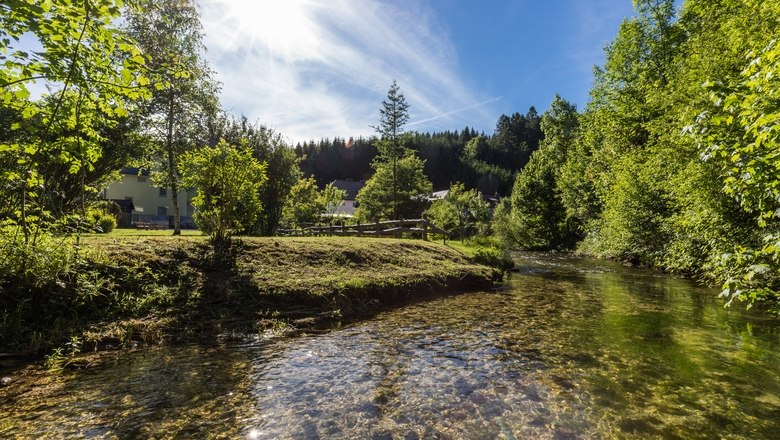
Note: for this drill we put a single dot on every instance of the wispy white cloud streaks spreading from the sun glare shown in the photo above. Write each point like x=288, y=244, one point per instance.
x=321, y=68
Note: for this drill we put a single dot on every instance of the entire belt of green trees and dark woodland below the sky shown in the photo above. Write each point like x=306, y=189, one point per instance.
x=674, y=163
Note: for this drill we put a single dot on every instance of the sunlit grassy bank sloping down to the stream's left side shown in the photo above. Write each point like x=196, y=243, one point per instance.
x=127, y=289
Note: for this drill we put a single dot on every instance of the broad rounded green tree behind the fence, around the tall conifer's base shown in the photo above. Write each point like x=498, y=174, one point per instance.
x=380, y=200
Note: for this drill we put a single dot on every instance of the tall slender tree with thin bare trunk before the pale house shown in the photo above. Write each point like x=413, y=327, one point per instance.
x=184, y=97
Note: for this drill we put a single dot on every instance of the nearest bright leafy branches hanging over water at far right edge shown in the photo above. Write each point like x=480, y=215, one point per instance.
x=741, y=136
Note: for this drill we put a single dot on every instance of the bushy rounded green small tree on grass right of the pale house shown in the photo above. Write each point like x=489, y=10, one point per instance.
x=226, y=179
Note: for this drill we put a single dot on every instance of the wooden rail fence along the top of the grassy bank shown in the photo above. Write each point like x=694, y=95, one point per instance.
x=391, y=228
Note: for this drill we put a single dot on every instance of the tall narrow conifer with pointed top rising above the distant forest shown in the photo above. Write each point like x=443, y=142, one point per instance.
x=392, y=117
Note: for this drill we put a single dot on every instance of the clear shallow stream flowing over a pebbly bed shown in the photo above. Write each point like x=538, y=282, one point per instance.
x=568, y=348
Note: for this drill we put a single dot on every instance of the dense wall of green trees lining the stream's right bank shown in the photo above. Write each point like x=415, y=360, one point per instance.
x=675, y=161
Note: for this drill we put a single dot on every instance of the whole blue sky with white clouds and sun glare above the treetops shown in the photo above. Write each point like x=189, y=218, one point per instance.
x=312, y=69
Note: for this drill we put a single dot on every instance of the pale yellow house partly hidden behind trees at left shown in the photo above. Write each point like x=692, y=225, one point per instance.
x=143, y=203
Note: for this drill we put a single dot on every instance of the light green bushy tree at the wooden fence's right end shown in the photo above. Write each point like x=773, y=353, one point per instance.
x=463, y=210
